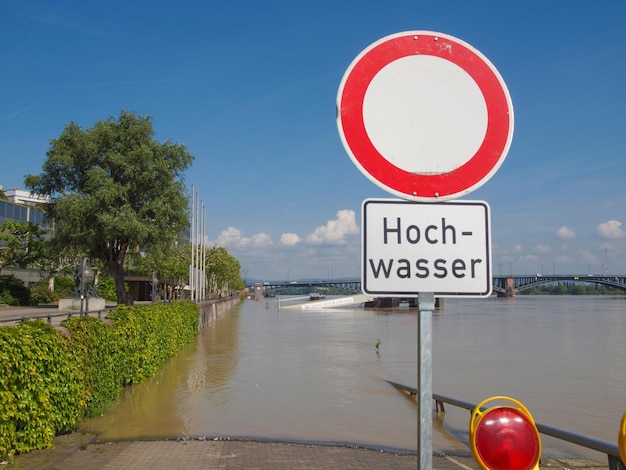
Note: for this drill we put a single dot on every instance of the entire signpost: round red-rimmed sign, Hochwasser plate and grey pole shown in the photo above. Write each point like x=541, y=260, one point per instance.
x=427, y=118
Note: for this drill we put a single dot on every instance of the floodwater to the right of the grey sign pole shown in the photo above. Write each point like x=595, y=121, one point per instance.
x=562, y=356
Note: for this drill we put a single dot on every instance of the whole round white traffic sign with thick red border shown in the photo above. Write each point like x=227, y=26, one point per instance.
x=424, y=115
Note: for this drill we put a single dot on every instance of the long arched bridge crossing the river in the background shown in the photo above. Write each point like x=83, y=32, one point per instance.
x=503, y=285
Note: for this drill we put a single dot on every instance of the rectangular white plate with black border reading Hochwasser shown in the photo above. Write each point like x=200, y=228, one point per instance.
x=412, y=247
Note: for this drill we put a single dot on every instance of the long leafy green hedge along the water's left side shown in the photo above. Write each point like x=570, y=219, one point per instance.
x=49, y=382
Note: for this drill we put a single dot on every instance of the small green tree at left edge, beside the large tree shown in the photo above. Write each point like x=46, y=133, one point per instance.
x=23, y=245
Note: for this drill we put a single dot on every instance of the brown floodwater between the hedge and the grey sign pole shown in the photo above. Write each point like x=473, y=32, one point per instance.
x=312, y=376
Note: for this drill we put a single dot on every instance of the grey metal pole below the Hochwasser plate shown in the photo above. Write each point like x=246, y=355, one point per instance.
x=426, y=302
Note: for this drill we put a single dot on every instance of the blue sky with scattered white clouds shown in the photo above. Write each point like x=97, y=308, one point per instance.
x=250, y=88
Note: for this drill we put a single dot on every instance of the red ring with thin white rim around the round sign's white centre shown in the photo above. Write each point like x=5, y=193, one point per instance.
x=428, y=186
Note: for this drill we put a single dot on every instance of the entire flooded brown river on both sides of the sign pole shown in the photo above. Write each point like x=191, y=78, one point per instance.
x=296, y=375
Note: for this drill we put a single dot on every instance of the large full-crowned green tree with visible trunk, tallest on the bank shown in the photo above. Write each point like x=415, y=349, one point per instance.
x=113, y=190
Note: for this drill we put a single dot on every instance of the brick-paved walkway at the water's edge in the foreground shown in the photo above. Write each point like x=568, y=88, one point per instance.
x=82, y=452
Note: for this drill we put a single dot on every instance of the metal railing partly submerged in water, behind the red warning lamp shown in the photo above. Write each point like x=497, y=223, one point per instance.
x=611, y=450
